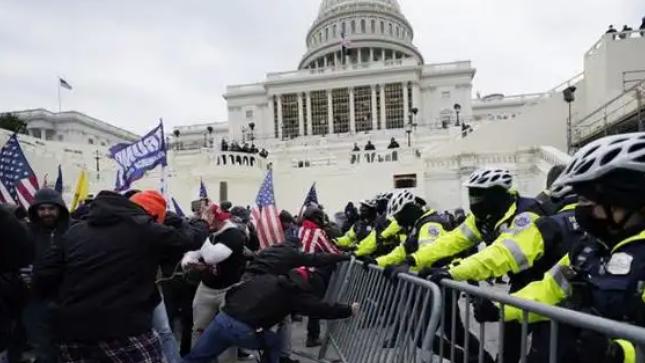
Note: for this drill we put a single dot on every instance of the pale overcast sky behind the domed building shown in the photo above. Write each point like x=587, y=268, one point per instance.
x=131, y=62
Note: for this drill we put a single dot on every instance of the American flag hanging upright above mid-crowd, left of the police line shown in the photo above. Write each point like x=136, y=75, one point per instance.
x=265, y=216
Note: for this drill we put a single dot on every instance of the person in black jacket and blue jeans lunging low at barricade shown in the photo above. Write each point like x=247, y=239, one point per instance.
x=254, y=306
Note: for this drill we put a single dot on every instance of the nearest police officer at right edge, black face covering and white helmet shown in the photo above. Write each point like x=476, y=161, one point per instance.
x=603, y=277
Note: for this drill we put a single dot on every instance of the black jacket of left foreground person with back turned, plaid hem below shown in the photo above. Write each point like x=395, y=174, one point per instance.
x=103, y=271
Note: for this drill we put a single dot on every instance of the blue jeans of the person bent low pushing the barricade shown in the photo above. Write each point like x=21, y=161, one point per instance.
x=225, y=332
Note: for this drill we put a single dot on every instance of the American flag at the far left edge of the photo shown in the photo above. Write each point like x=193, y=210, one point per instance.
x=18, y=183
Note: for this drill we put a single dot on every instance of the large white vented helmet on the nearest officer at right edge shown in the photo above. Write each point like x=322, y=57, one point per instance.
x=598, y=158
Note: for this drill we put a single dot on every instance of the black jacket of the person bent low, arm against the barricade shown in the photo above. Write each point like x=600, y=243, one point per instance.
x=265, y=300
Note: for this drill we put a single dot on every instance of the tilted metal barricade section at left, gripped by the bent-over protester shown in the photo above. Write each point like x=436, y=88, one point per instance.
x=398, y=318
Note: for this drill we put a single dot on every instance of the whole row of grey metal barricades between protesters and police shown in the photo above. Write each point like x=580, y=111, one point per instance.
x=408, y=319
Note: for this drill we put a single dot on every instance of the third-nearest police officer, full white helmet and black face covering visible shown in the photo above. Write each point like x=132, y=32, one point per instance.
x=496, y=209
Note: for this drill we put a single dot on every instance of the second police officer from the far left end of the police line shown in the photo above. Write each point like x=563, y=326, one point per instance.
x=386, y=234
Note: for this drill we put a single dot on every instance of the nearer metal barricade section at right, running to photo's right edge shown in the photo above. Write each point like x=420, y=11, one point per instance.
x=559, y=319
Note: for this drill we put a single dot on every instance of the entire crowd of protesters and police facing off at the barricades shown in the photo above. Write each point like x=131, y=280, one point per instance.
x=117, y=281
